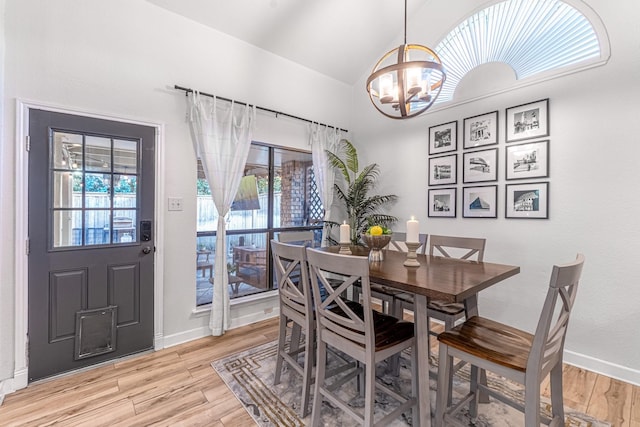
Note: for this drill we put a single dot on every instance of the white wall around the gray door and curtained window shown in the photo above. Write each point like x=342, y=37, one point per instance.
x=122, y=58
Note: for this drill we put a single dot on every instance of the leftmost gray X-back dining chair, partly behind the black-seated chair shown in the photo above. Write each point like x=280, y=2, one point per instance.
x=292, y=276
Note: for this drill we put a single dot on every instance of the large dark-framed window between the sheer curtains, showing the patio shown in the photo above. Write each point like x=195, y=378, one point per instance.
x=277, y=193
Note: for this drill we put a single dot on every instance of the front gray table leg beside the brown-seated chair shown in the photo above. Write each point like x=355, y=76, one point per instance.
x=422, y=350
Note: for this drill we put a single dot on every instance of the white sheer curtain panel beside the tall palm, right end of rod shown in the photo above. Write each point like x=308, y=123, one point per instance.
x=322, y=138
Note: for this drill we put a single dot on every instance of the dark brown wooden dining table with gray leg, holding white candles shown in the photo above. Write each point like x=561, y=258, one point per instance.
x=438, y=278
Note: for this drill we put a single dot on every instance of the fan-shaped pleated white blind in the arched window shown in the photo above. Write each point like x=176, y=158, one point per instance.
x=531, y=36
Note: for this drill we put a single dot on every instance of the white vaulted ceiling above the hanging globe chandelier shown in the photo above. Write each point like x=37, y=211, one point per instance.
x=342, y=39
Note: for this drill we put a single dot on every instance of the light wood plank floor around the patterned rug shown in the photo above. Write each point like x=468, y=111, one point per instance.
x=178, y=386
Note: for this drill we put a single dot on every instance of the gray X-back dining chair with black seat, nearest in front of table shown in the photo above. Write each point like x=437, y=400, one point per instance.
x=357, y=331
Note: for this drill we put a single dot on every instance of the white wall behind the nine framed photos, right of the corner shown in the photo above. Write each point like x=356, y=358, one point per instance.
x=594, y=149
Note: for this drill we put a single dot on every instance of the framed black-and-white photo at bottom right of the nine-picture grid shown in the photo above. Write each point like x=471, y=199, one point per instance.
x=529, y=200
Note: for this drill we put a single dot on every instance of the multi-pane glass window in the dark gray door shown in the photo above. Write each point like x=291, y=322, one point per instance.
x=94, y=191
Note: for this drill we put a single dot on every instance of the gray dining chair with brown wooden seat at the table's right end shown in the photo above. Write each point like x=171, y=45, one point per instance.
x=513, y=353
